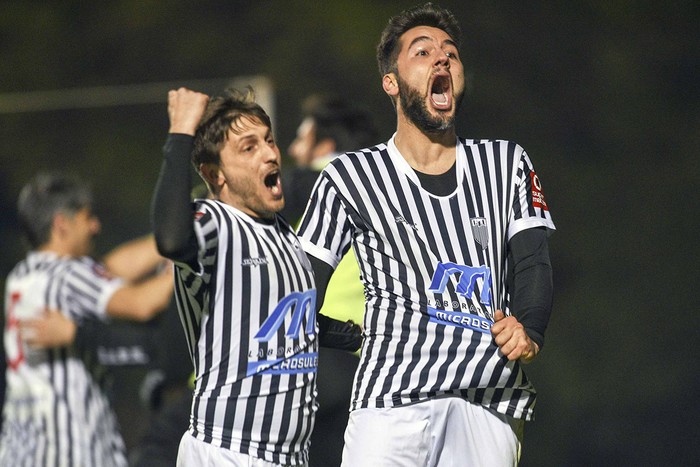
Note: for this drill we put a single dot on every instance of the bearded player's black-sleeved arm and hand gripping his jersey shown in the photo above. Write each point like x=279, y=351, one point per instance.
x=521, y=336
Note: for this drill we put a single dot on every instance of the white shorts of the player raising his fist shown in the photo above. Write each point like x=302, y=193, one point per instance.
x=196, y=453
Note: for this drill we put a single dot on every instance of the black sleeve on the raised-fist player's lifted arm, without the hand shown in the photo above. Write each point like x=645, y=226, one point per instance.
x=171, y=207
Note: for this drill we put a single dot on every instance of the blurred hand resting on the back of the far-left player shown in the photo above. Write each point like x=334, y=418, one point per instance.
x=52, y=329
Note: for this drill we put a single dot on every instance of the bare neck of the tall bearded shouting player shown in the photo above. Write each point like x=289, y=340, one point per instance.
x=429, y=153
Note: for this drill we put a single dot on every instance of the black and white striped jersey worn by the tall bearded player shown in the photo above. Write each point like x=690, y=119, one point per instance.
x=434, y=269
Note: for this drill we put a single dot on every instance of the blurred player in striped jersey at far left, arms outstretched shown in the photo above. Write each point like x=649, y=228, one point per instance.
x=56, y=412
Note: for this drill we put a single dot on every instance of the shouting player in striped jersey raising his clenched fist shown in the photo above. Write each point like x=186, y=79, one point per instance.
x=244, y=286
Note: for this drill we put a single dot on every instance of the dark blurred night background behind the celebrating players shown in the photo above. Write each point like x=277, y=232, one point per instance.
x=604, y=96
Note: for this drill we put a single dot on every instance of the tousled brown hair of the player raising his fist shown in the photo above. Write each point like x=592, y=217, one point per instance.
x=222, y=114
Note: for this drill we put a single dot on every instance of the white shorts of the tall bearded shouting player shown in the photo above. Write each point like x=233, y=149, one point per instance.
x=443, y=432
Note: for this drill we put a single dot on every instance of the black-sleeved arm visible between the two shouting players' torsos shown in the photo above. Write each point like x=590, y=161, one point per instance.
x=332, y=333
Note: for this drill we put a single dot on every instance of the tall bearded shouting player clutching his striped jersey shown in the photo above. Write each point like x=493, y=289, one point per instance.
x=451, y=236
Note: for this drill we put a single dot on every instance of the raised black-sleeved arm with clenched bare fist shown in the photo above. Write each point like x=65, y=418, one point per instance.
x=171, y=210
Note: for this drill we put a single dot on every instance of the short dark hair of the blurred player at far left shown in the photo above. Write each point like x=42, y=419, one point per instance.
x=48, y=194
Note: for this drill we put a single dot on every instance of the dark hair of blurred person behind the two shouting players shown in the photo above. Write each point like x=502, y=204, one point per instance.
x=334, y=118
